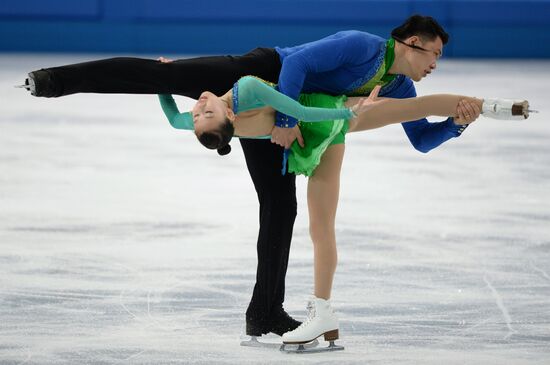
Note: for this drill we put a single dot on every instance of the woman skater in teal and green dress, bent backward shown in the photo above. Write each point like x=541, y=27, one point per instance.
x=248, y=111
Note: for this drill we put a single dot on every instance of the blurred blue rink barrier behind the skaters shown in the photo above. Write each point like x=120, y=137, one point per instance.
x=489, y=29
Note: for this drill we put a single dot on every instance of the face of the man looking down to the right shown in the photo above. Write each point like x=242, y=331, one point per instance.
x=423, y=56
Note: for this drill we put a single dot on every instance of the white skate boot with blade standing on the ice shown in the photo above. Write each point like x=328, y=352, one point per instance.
x=321, y=320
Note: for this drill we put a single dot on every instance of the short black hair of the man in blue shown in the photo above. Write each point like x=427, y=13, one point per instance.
x=425, y=27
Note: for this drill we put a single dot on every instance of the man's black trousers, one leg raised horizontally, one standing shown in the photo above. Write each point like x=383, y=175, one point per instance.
x=190, y=77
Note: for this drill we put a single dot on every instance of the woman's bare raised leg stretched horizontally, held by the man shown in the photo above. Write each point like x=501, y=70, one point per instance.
x=389, y=111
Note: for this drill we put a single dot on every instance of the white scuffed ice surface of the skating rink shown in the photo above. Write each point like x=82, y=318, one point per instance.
x=123, y=241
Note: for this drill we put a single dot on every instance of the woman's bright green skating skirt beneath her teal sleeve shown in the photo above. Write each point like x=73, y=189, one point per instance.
x=318, y=136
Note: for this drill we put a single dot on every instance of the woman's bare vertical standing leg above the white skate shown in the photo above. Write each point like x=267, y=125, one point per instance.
x=322, y=196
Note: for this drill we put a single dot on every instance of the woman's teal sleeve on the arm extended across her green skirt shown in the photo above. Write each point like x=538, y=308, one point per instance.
x=286, y=105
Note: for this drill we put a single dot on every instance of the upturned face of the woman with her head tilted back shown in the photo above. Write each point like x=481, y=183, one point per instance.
x=209, y=113
